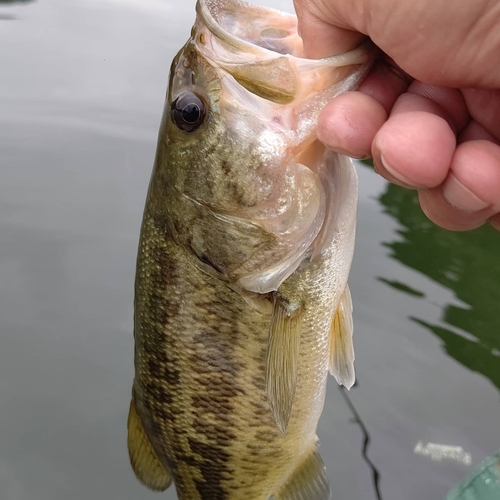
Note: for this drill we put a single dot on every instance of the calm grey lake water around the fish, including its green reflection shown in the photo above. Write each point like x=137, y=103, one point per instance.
x=81, y=96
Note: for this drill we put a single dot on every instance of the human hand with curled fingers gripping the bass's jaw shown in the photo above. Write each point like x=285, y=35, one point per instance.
x=438, y=130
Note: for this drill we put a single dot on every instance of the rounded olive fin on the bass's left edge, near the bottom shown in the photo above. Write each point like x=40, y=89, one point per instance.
x=148, y=469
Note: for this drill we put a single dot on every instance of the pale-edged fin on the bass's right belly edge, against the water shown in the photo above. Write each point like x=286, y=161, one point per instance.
x=341, y=345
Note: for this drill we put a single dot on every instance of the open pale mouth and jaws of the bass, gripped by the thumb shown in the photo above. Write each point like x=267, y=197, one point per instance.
x=262, y=50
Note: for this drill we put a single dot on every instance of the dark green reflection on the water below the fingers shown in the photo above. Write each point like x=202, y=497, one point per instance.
x=468, y=264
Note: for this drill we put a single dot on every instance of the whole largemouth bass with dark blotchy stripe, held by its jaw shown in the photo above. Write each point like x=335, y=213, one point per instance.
x=241, y=297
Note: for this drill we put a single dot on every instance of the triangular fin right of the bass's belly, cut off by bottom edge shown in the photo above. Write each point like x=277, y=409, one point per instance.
x=308, y=482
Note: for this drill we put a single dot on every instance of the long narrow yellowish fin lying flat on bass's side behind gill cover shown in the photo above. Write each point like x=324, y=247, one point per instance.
x=283, y=358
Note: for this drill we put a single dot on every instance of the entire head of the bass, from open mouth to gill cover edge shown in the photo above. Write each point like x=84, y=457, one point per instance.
x=238, y=154
